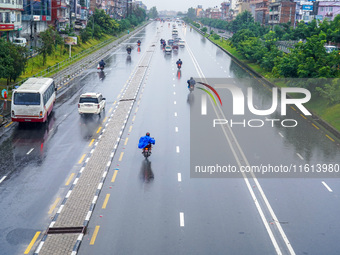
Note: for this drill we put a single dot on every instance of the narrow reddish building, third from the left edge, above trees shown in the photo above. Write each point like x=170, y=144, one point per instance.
x=60, y=14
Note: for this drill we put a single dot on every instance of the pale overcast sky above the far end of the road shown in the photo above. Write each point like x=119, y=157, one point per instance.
x=180, y=5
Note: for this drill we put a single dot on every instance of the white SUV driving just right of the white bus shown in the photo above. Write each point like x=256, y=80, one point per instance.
x=91, y=103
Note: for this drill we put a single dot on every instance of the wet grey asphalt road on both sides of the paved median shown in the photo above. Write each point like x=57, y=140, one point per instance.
x=154, y=206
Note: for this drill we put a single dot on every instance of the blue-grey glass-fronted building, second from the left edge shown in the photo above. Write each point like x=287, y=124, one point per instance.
x=35, y=16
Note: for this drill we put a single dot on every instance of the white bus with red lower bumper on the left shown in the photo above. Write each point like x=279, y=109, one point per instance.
x=33, y=101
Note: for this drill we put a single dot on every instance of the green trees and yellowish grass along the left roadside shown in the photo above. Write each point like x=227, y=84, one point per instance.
x=16, y=65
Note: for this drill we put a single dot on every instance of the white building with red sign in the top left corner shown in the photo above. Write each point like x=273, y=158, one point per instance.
x=10, y=18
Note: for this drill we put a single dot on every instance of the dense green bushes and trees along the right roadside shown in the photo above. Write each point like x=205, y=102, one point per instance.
x=257, y=46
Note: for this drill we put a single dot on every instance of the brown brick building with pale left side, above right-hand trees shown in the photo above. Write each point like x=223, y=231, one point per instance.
x=282, y=12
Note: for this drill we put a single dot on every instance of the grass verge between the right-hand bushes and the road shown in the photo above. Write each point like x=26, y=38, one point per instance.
x=319, y=105
